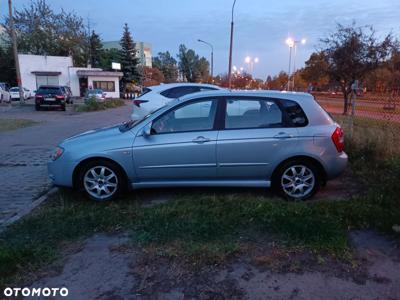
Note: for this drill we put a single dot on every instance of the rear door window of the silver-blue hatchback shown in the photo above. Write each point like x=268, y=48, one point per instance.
x=252, y=113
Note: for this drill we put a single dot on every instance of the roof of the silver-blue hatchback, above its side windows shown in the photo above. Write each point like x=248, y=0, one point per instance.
x=298, y=96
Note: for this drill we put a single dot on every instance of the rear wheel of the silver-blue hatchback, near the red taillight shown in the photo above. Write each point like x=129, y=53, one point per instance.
x=297, y=180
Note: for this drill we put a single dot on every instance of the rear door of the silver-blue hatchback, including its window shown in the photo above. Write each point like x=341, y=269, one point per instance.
x=254, y=138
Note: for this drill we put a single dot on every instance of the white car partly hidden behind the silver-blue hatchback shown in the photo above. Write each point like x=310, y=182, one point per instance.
x=154, y=97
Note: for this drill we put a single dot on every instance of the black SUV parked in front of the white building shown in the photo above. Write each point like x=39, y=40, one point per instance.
x=50, y=96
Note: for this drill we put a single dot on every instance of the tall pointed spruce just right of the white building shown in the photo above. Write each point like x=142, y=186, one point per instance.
x=128, y=59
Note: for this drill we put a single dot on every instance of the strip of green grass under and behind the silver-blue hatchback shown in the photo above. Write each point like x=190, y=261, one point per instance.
x=209, y=227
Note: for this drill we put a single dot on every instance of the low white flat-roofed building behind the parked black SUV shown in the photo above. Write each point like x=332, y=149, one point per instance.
x=37, y=70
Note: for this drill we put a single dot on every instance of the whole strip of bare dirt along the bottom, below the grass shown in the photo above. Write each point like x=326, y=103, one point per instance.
x=109, y=267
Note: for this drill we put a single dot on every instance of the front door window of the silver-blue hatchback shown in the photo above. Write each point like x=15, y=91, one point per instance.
x=195, y=116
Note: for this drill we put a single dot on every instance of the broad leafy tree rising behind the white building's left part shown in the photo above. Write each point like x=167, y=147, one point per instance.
x=42, y=31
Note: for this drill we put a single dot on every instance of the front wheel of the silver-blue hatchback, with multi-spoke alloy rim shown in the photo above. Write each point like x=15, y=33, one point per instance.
x=102, y=180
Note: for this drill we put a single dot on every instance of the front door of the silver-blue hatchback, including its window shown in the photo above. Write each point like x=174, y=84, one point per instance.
x=181, y=146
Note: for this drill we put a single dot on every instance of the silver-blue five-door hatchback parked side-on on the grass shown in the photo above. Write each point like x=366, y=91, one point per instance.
x=219, y=138
